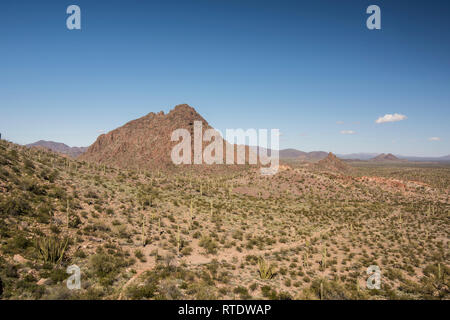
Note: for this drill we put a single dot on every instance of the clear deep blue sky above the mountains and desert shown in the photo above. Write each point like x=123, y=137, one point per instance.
x=300, y=66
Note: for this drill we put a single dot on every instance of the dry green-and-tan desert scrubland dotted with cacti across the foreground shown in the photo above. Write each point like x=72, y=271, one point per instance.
x=301, y=234
